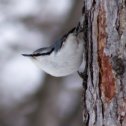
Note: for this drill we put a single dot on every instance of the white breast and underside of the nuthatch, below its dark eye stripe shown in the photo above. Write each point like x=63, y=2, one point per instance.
x=64, y=62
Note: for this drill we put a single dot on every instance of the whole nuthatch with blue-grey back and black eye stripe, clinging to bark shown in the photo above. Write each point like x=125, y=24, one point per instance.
x=62, y=58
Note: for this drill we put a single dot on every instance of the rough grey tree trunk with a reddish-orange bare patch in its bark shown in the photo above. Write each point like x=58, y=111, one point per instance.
x=104, y=85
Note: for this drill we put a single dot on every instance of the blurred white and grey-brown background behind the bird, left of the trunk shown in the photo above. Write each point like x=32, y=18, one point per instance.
x=28, y=96
